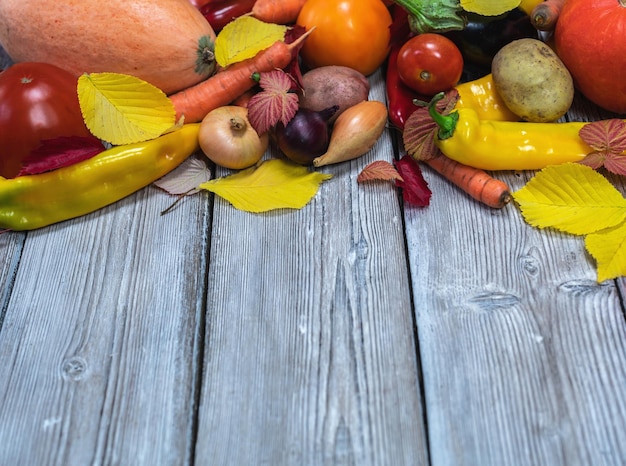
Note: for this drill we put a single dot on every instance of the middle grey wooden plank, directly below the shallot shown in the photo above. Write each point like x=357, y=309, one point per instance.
x=310, y=356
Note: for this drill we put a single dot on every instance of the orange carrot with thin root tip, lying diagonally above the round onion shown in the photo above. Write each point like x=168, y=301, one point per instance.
x=229, y=83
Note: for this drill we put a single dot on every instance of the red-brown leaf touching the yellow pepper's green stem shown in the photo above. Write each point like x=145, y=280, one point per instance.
x=420, y=129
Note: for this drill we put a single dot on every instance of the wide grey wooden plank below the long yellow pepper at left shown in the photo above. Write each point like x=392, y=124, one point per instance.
x=100, y=339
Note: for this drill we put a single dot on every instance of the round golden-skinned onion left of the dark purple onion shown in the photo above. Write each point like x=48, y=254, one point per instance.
x=228, y=139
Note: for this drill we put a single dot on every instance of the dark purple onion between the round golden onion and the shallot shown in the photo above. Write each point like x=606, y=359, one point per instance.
x=306, y=136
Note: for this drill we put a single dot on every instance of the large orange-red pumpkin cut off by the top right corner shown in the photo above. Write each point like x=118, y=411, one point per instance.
x=590, y=39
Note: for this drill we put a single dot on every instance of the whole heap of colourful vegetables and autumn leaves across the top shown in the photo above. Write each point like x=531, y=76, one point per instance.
x=473, y=87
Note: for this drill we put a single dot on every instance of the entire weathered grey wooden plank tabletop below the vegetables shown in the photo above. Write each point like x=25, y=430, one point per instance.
x=357, y=330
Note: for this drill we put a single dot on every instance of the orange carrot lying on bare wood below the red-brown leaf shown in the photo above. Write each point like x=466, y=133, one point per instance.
x=475, y=182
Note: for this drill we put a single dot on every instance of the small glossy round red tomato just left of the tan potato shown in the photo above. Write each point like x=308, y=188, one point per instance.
x=429, y=63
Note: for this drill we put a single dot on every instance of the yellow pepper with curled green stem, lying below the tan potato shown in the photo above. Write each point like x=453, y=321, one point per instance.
x=506, y=145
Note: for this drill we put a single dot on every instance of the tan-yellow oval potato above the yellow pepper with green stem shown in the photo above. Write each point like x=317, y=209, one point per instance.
x=532, y=81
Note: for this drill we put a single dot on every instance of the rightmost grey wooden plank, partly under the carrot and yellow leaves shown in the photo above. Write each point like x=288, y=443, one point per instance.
x=523, y=353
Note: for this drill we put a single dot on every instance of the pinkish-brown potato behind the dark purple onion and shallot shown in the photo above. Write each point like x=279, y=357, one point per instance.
x=331, y=85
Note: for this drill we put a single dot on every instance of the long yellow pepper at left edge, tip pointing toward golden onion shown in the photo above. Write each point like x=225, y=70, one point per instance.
x=34, y=201
